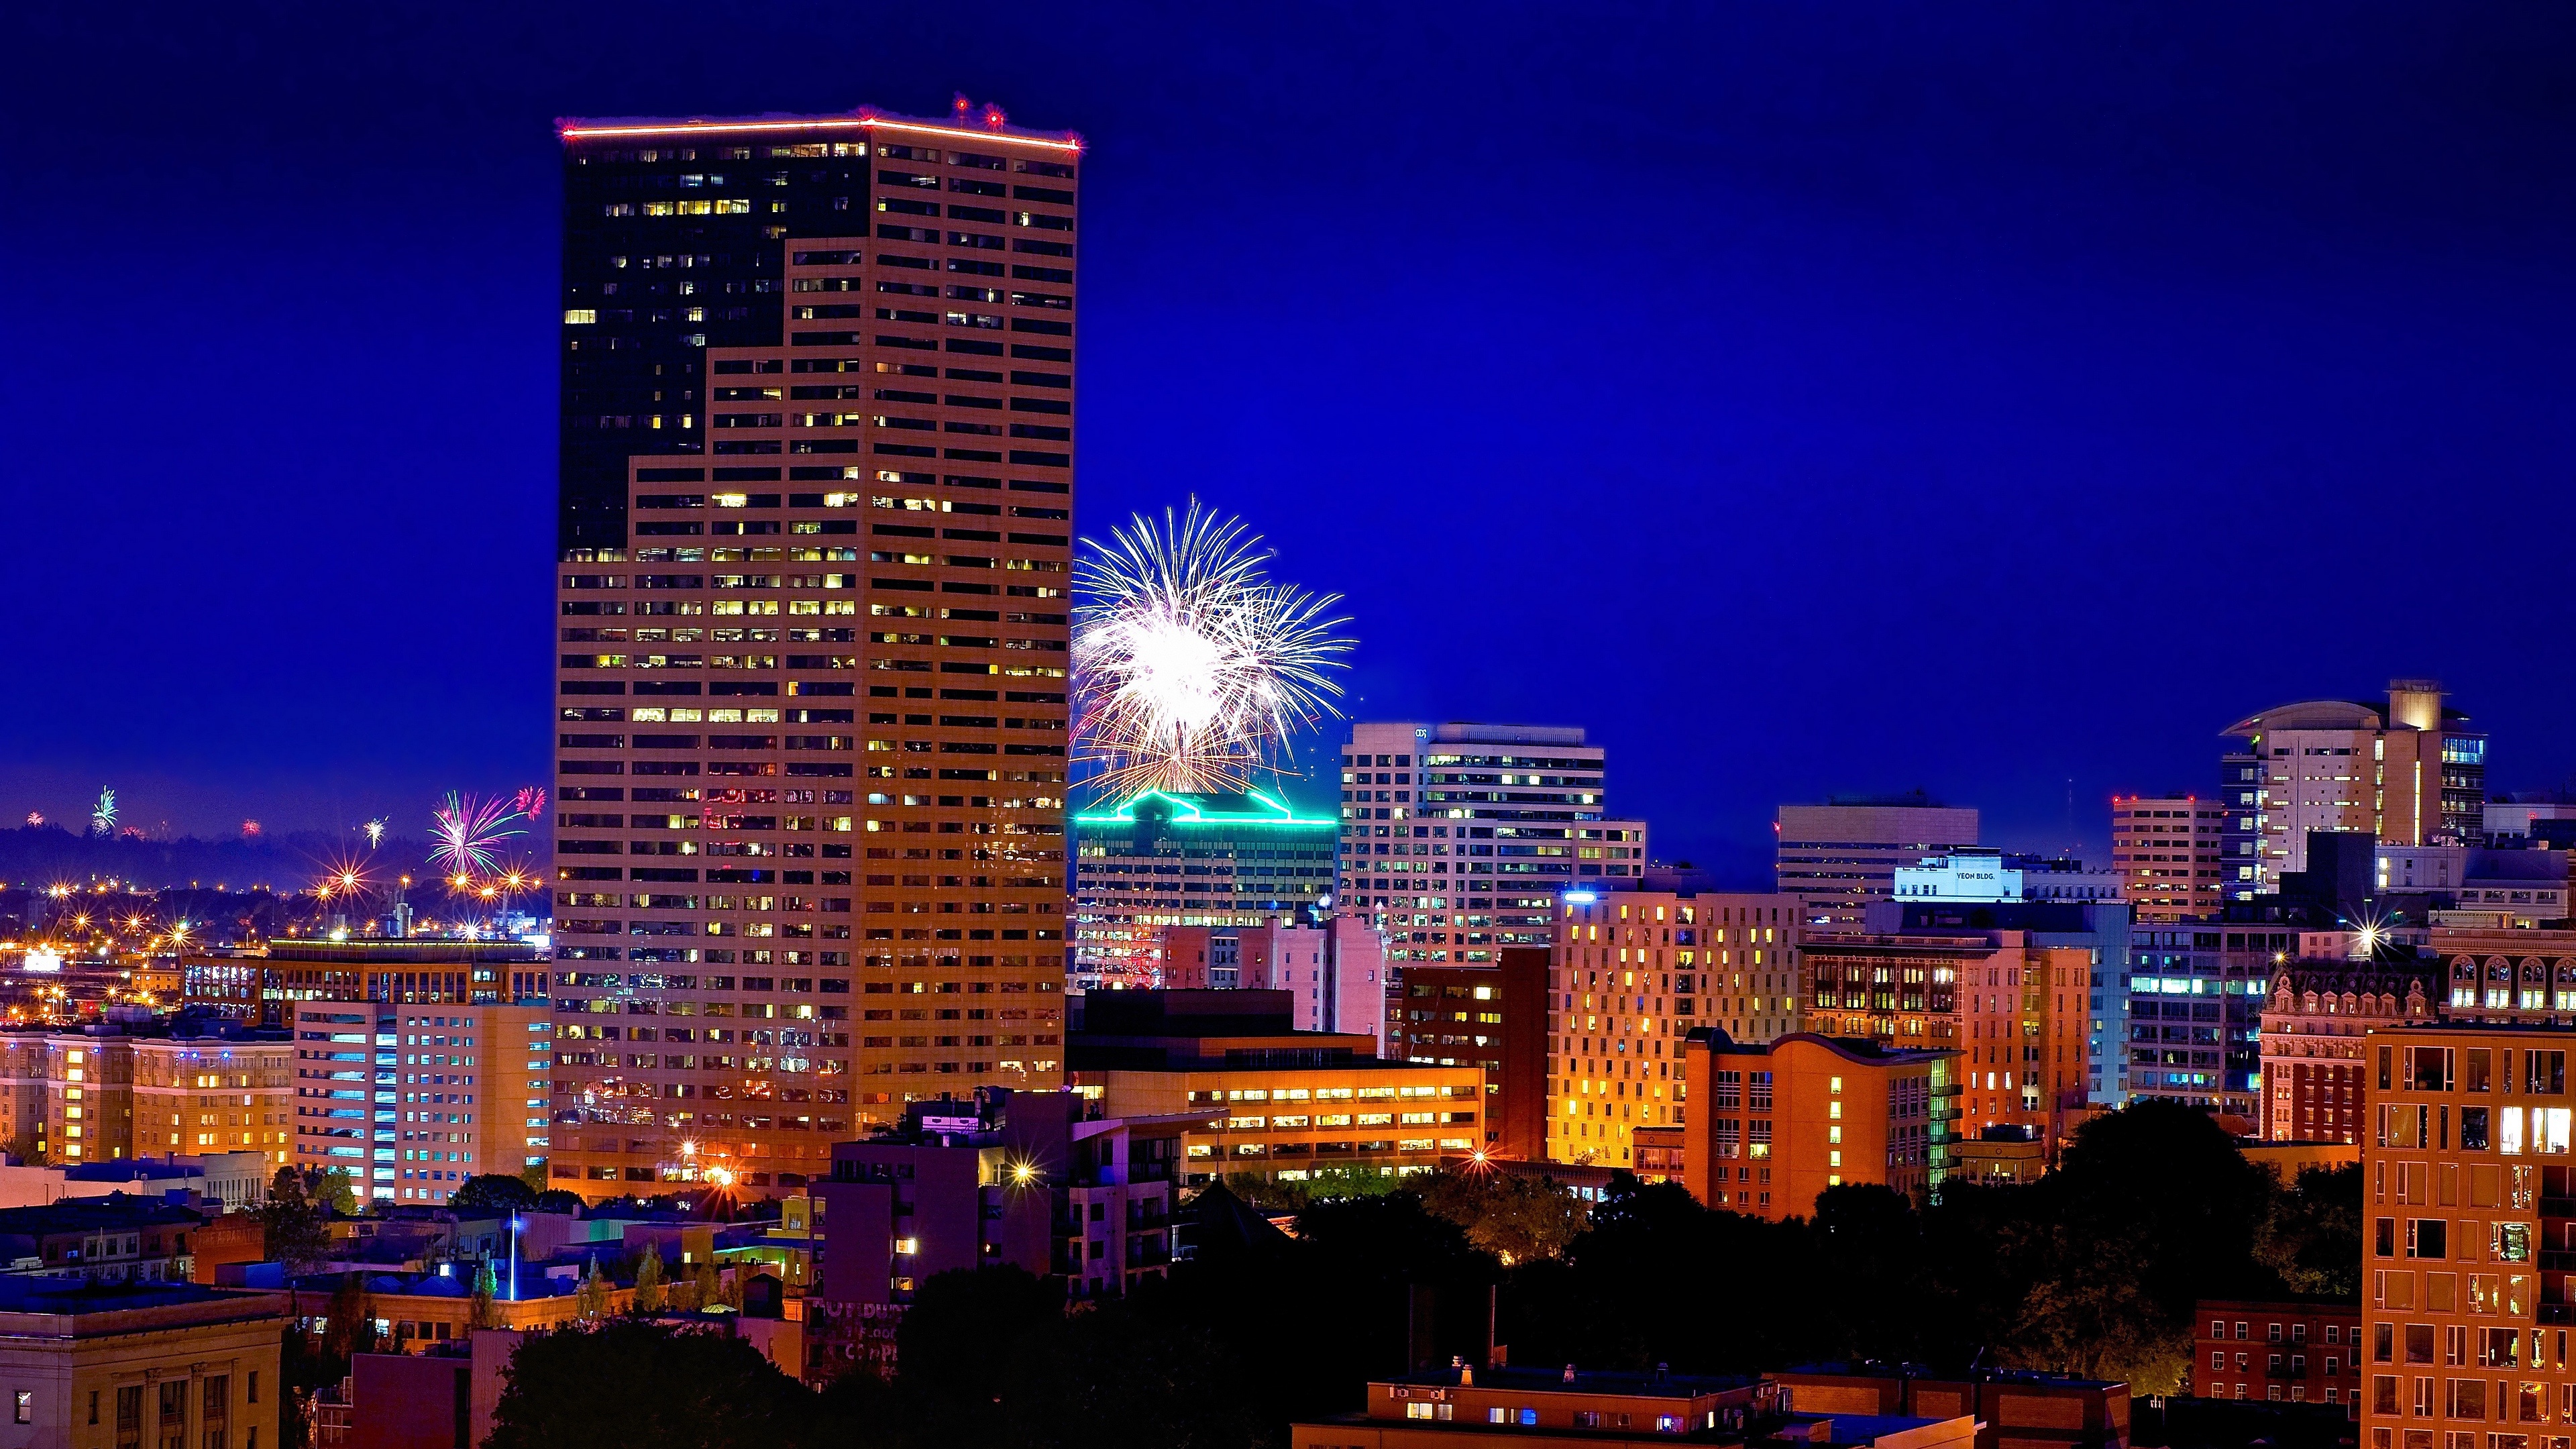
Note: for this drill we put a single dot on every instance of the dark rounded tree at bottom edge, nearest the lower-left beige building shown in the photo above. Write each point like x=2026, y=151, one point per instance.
x=640, y=1383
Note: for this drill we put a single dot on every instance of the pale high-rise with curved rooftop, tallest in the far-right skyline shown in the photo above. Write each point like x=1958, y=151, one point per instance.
x=2405, y=772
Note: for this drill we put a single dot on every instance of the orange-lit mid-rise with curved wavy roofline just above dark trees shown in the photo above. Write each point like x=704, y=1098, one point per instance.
x=1774, y=1125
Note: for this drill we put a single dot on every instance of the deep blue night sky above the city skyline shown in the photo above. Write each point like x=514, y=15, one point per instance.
x=1807, y=398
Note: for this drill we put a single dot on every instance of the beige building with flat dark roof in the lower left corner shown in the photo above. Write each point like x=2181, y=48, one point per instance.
x=120, y=1368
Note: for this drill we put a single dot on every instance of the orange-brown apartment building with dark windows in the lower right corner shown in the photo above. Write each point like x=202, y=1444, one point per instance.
x=2467, y=1301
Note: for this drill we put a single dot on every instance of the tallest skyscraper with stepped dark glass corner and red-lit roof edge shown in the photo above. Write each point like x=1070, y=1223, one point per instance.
x=815, y=522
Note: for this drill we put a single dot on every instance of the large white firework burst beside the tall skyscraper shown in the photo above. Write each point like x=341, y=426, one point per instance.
x=1191, y=666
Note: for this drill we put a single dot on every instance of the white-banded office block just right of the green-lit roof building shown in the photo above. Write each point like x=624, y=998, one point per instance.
x=1459, y=837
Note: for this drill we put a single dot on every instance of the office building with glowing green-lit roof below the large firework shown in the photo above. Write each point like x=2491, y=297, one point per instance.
x=1189, y=860
